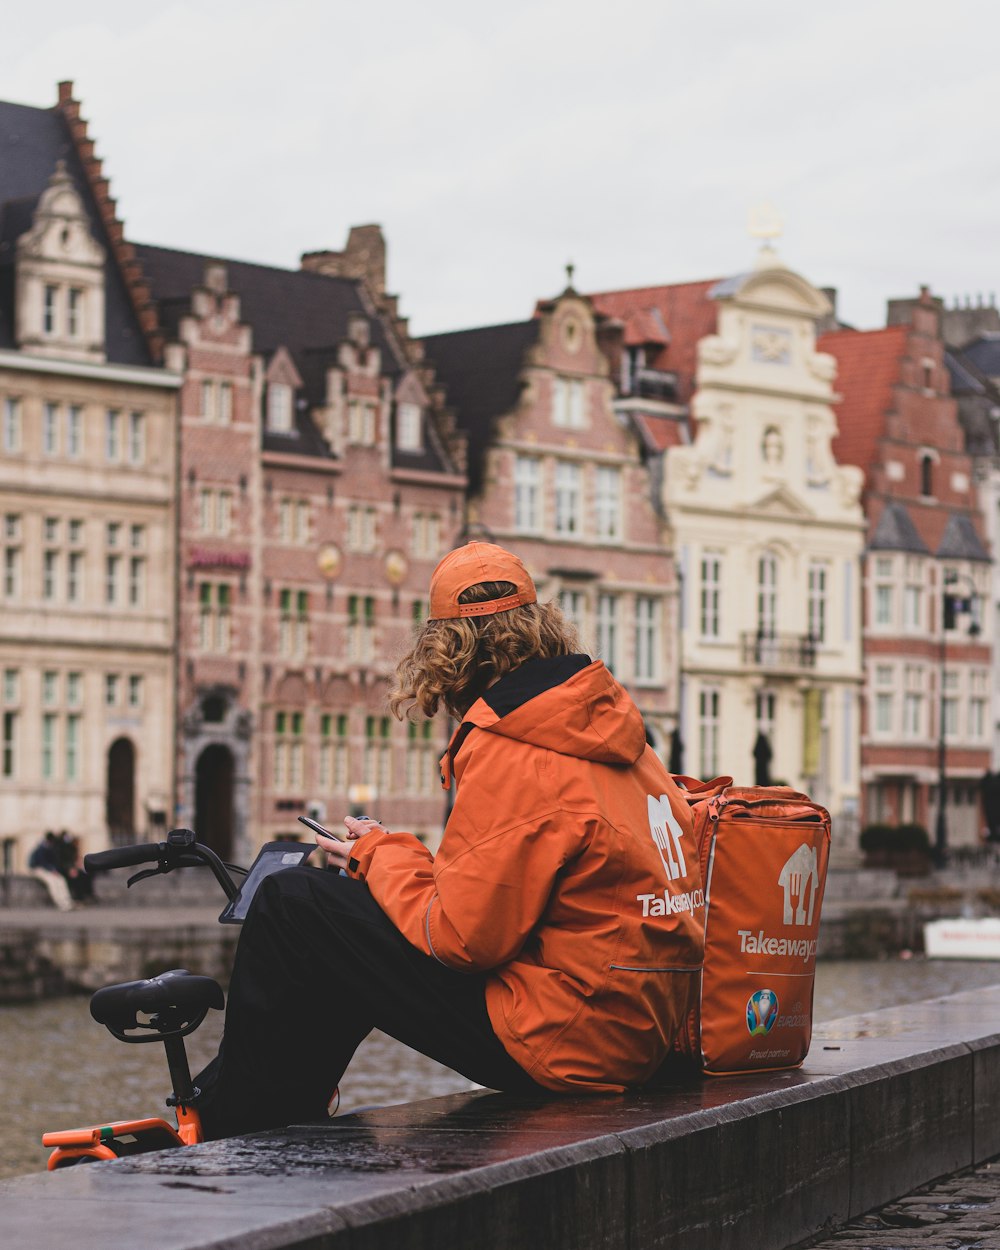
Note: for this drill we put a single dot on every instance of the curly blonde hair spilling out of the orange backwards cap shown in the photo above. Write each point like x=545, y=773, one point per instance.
x=453, y=662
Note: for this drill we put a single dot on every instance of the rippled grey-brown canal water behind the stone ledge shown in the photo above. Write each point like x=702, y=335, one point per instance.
x=58, y=1069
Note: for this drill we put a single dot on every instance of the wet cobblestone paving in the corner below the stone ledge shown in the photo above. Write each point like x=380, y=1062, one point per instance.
x=962, y=1213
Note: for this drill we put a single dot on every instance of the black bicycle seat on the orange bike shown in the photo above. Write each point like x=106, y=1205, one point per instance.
x=176, y=1003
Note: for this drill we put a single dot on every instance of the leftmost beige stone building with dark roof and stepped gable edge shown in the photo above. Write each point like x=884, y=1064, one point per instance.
x=88, y=483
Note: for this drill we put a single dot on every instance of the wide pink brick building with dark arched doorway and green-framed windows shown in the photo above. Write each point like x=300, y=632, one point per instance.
x=319, y=486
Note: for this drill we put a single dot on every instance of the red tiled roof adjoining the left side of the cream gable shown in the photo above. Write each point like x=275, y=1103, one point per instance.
x=686, y=311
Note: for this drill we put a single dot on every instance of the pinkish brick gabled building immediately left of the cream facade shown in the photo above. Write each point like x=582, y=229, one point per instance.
x=557, y=476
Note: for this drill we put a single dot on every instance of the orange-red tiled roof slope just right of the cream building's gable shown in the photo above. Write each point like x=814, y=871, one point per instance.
x=868, y=372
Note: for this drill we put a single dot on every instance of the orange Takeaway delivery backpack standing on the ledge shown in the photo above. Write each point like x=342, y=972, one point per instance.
x=764, y=852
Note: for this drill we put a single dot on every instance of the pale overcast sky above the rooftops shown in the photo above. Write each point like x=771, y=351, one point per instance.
x=494, y=143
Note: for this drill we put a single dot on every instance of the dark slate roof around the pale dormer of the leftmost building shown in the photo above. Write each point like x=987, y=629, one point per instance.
x=32, y=142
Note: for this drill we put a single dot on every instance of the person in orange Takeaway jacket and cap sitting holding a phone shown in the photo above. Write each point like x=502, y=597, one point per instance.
x=522, y=954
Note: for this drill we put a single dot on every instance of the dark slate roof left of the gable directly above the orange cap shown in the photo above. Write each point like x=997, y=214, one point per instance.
x=481, y=371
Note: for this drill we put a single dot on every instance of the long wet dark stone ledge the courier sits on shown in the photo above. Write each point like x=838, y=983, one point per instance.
x=886, y=1103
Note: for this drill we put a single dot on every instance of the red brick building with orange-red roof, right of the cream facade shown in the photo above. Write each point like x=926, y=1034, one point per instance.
x=927, y=573
